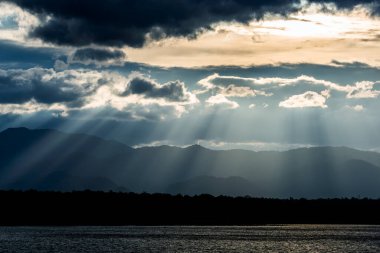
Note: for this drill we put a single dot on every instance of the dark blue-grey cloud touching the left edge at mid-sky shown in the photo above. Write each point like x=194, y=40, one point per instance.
x=42, y=85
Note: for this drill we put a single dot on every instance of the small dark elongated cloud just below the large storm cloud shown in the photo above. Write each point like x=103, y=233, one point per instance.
x=97, y=55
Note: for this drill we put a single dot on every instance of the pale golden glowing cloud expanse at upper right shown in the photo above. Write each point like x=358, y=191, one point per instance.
x=311, y=35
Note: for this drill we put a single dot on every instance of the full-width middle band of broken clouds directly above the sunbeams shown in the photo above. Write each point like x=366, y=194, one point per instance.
x=24, y=91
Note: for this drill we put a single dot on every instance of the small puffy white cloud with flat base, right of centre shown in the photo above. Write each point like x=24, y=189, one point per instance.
x=307, y=99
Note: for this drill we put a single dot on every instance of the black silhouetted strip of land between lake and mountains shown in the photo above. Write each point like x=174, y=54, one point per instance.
x=33, y=208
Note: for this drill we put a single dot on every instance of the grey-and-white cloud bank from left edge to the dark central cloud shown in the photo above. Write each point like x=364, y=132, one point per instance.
x=38, y=89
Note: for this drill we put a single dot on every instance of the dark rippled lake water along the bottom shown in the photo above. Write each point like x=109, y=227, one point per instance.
x=287, y=238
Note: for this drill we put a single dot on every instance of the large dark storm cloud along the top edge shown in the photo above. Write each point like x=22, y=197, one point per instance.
x=120, y=22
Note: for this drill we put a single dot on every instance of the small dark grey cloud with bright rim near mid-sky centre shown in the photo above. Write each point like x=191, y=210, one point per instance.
x=171, y=91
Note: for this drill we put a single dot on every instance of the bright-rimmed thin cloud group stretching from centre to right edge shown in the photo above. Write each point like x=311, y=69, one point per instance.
x=297, y=92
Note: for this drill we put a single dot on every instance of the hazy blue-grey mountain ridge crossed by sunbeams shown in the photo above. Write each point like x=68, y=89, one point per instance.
x=33, y=158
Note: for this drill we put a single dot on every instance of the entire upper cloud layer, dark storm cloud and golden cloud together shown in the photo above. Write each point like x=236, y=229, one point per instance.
x=199, y=33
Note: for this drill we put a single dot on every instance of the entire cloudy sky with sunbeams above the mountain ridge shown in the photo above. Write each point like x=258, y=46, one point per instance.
x=225, y=74
